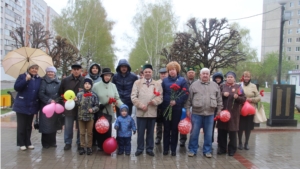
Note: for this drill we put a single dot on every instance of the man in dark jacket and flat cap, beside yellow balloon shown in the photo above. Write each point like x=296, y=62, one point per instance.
x=73, y=82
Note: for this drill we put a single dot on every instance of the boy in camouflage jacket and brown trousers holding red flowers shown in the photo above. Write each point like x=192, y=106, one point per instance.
x=88, y=103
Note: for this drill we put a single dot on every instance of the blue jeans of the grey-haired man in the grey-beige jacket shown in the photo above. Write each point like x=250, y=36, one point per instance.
x=206, y=122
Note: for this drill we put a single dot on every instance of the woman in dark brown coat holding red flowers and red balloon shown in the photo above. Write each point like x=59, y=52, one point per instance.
x=233, y=98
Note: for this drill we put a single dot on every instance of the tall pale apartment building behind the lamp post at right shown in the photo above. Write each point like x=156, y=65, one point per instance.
x=271, y=30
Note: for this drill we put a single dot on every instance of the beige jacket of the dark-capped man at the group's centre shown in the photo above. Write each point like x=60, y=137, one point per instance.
x=142, y=94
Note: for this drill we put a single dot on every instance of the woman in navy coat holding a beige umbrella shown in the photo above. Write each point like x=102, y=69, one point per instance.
x=26, y=104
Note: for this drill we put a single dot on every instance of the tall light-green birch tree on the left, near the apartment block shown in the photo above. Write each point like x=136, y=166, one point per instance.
x=84, y=24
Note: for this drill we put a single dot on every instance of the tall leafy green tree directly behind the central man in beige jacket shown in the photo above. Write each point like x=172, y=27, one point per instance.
x=155, y=24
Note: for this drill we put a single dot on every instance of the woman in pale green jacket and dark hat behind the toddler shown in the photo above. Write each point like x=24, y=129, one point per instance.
x=106, y=90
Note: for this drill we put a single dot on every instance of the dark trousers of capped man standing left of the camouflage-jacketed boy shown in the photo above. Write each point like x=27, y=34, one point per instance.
x=68, y=135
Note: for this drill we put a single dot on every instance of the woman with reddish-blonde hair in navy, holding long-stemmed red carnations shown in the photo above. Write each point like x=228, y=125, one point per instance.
x=171, y=126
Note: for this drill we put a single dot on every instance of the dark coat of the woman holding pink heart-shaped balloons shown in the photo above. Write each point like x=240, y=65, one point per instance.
x=48, y=91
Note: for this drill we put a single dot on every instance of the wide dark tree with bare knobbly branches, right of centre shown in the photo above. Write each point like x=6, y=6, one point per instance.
x=209, y=43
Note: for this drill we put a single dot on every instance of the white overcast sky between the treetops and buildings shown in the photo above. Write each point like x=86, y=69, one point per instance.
x=122, y=12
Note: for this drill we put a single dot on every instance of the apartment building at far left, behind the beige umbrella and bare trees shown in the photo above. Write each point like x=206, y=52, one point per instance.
x=21, y=13
